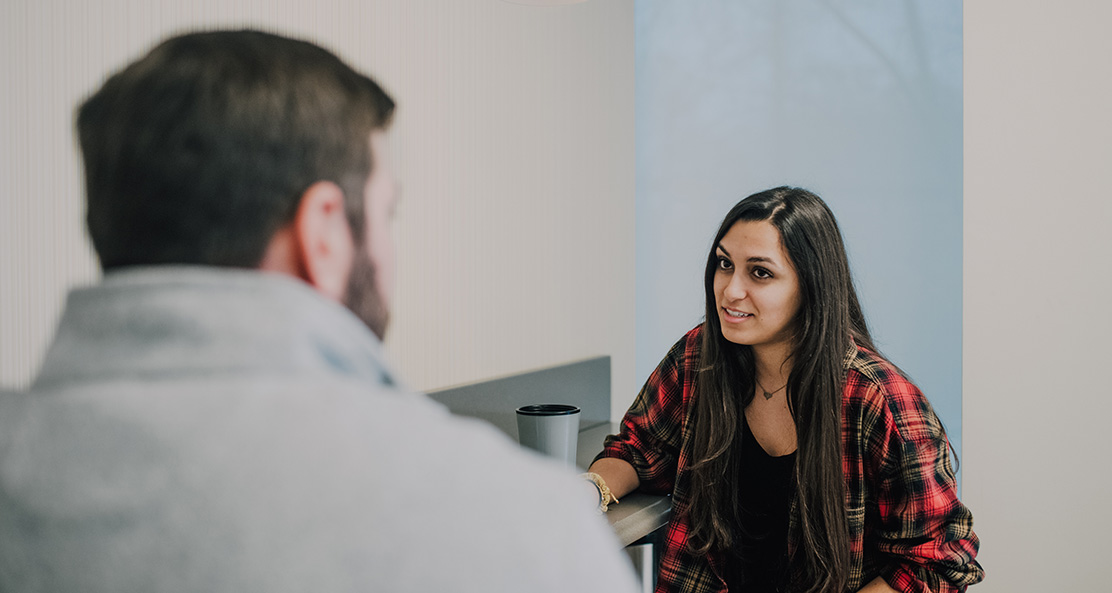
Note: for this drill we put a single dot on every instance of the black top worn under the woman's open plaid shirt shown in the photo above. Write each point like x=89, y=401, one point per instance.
x=759, y=562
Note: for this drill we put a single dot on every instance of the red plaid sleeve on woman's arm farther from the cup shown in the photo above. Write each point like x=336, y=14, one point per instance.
x=925, y=536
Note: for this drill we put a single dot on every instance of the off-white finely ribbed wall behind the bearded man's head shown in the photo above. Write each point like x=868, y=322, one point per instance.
x=514, y=143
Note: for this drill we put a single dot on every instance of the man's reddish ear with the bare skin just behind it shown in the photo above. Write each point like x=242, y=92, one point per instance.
x=317, y=246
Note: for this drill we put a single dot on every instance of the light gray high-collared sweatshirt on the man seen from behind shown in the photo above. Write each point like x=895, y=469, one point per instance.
x=229, y=431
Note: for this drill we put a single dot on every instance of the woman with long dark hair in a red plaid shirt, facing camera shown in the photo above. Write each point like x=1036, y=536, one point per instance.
x=798, y=458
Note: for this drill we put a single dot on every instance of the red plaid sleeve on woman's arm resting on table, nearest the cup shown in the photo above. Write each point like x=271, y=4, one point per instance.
x=652, y=430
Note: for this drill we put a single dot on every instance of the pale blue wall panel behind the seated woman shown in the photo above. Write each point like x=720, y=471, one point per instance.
x=860, y=102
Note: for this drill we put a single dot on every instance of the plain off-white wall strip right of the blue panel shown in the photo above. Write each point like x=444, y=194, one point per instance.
x=1037, y=288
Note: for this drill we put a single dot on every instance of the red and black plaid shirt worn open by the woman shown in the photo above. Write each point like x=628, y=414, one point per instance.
x=907, y=525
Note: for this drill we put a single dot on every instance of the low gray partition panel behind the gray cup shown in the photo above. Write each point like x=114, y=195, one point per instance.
x=585, y=384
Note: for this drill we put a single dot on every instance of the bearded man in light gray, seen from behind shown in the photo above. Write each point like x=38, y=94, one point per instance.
x=210, y=418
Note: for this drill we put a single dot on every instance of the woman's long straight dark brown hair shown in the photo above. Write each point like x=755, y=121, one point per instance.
x=830, y=314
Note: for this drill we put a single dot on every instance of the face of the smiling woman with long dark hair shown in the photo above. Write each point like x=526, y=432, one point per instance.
x=756, y=286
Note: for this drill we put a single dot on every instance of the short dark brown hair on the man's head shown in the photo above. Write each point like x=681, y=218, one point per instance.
x=200, y=152
